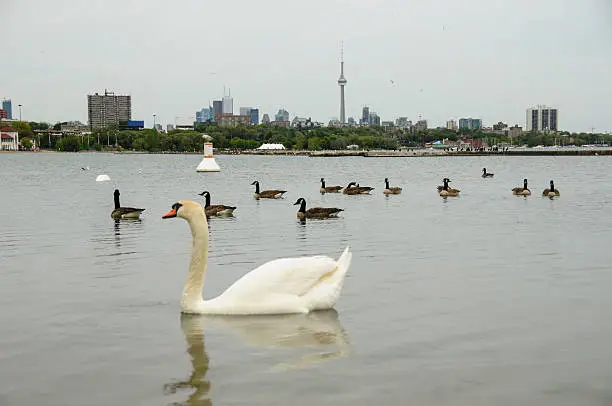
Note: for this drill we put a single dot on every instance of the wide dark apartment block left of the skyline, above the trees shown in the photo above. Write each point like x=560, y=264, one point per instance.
x=108, y=109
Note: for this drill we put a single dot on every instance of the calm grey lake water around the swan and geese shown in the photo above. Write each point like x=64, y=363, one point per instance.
x=483, y=299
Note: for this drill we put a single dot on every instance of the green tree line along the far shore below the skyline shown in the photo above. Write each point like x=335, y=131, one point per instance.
x=313, y=141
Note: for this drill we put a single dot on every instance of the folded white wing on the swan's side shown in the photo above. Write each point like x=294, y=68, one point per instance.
x=286, y=276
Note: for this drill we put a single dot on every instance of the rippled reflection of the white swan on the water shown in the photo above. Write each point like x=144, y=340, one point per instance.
x=317, y=330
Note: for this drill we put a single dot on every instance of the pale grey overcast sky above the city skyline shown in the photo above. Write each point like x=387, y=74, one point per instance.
x=447, y=58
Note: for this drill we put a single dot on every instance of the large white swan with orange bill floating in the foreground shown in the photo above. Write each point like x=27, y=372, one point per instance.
x=287, y=285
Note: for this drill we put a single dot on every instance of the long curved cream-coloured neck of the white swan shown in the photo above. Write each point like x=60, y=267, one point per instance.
x=192, y=292
